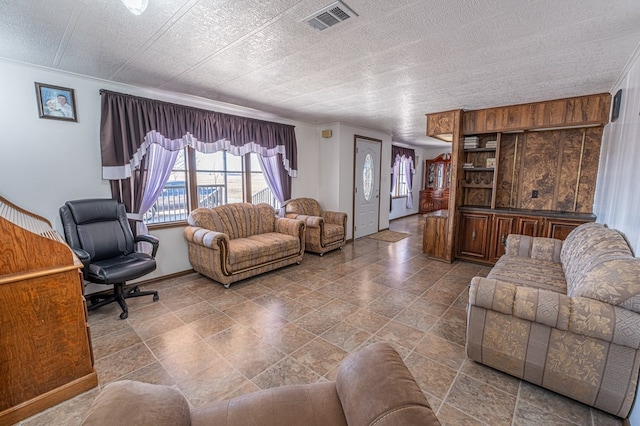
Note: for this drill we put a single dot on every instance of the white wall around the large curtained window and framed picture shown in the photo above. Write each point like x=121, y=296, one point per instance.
x=44, y=163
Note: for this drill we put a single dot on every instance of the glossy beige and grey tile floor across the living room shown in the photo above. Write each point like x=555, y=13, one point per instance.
x=295, y=326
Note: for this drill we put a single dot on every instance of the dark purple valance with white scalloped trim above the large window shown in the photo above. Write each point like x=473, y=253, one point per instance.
x=129, y=124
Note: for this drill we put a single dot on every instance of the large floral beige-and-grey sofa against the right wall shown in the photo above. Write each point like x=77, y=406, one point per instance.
x=563, y=315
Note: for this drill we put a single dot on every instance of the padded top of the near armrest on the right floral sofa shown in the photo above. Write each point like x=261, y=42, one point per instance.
x=579, y=315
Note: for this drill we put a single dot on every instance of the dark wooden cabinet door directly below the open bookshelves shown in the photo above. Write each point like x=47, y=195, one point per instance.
x=473, y=235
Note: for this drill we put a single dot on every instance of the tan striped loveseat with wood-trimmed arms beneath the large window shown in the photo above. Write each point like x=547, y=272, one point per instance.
x=239, y=240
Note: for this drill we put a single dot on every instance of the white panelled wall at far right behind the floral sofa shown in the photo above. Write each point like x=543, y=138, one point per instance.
x=617, y=200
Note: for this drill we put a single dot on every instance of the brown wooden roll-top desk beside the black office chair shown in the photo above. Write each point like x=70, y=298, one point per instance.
x=45, y=349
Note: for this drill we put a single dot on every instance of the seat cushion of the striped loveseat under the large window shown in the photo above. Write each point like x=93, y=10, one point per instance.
x=261, y=248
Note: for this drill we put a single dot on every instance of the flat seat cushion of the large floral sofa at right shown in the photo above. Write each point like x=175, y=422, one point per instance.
x=529, y=272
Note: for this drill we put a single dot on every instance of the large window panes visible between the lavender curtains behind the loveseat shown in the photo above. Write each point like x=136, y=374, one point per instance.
x=209, y=180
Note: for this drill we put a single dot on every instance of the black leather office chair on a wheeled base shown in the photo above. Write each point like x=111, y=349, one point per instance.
x=99, y=234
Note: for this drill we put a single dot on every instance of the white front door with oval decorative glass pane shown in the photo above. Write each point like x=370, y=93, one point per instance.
x=367, y=187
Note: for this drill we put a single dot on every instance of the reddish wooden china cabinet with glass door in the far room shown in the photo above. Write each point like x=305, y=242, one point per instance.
x=437, y=180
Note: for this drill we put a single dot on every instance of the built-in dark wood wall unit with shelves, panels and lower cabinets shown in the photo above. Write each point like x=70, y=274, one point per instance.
x=538, y=178
